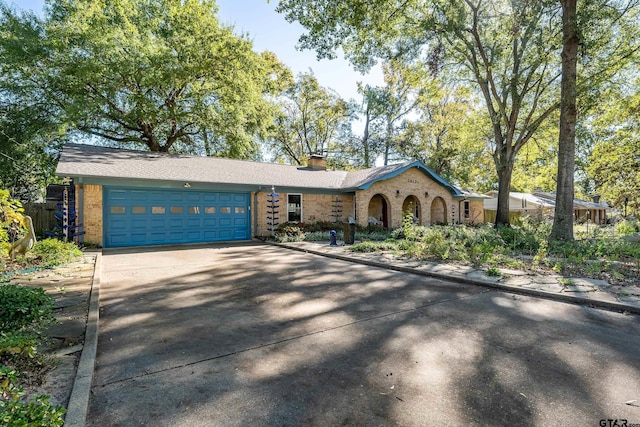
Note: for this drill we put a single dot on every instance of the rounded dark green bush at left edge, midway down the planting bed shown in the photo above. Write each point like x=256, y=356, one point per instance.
x=24, y=308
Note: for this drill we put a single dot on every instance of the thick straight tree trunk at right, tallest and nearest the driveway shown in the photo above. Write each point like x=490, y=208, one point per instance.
x=563, y=217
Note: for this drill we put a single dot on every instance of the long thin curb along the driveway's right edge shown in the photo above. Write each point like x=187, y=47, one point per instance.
x=616, y=306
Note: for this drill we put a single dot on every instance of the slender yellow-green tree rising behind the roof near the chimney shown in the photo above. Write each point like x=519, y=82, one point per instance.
x=311, y=121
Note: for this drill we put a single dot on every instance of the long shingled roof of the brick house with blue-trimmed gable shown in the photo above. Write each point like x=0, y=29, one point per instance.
x=90, y=161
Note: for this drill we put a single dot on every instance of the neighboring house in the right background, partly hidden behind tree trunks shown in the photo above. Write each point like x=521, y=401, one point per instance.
x=543, y=205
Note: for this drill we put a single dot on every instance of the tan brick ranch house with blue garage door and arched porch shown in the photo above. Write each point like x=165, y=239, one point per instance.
x=134, y=198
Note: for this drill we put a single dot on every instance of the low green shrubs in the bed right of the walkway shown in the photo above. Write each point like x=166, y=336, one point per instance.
x=604, y=253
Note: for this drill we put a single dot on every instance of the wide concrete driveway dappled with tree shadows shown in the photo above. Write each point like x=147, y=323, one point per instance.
x=251, y=334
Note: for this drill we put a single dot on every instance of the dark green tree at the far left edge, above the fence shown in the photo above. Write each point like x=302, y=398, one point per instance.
x=29, y=128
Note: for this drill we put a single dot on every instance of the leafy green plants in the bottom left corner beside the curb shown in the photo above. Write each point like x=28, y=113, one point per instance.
x=15, y=412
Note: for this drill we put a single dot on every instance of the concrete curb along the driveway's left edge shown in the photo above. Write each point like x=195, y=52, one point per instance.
x=79, y=401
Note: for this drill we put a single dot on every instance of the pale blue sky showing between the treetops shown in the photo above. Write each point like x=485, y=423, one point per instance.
x=270, y=31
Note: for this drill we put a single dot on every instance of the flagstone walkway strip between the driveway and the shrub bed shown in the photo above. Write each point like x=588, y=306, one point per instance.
x=592, y=292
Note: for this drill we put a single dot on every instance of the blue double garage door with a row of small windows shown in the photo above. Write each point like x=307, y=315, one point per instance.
x=142, y=217
